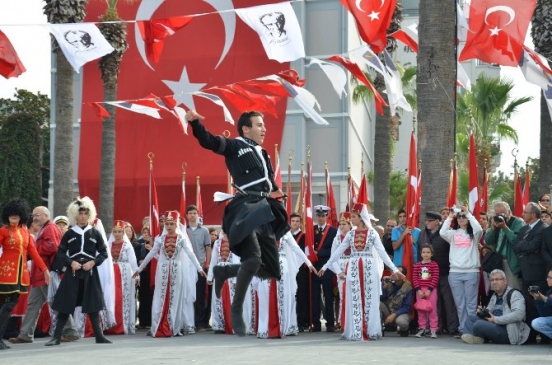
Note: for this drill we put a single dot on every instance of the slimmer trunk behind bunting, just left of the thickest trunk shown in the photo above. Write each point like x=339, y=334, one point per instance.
x=382, y=164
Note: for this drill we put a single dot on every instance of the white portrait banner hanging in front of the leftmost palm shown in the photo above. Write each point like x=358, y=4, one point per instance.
x=80, y=42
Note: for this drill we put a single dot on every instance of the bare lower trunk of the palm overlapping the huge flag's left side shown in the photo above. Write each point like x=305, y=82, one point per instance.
x=107, y=162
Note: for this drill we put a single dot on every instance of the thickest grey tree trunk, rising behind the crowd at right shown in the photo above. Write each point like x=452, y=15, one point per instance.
x=436, y=89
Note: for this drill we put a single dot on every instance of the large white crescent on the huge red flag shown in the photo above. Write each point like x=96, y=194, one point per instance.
x=147, y=8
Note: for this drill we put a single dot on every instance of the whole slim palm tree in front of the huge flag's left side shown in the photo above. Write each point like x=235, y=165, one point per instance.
x=115, y=33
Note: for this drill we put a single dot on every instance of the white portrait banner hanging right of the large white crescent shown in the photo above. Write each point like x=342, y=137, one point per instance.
x=279, y=29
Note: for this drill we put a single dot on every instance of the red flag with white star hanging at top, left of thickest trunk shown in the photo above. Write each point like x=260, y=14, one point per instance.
x=372, y=18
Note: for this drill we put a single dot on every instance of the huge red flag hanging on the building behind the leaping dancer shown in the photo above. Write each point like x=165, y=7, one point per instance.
x=215, y=49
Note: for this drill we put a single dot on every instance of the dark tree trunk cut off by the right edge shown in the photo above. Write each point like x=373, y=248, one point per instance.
x=545, y=170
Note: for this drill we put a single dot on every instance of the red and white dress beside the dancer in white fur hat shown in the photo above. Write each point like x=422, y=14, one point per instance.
x=124, y=265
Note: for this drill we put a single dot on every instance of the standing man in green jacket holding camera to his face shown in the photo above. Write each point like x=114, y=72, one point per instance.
x=501, y=236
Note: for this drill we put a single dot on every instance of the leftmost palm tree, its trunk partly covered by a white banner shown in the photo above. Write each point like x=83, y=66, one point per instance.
x=63, y=11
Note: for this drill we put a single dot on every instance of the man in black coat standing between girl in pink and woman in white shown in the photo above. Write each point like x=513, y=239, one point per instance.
x=446, y=309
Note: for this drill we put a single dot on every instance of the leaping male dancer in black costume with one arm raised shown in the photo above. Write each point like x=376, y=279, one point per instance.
x=255, y=219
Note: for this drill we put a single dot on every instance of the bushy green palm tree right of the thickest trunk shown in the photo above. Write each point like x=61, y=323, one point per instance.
x=486, y=109
